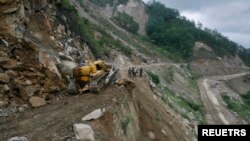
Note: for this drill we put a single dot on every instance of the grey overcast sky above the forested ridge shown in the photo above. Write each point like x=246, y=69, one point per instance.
x=229, y=17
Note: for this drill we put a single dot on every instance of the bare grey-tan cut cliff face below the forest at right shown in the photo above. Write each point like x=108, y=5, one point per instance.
x=207, y=62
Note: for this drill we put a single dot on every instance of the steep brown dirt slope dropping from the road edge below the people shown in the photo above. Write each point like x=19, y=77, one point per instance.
x=157, y=117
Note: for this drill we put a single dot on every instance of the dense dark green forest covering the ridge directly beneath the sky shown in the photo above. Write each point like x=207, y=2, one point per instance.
x=176, y=34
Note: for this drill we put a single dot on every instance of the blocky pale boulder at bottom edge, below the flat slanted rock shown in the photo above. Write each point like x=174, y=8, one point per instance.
x=83, y=132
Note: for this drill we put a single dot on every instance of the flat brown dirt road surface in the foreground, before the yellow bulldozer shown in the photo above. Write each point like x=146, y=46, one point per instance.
x=54, y=121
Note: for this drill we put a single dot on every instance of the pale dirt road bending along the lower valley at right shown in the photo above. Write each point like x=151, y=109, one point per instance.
x=215, y=112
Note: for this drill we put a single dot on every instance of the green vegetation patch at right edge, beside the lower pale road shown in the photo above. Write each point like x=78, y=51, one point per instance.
x=242, y=109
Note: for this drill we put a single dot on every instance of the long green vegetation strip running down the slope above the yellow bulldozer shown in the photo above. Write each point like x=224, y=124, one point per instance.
x=81, y=26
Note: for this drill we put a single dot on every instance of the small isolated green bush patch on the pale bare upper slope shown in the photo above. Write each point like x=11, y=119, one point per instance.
x=127, y=22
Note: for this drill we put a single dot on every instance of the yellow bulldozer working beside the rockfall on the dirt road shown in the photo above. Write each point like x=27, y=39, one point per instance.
x=93, y=75
